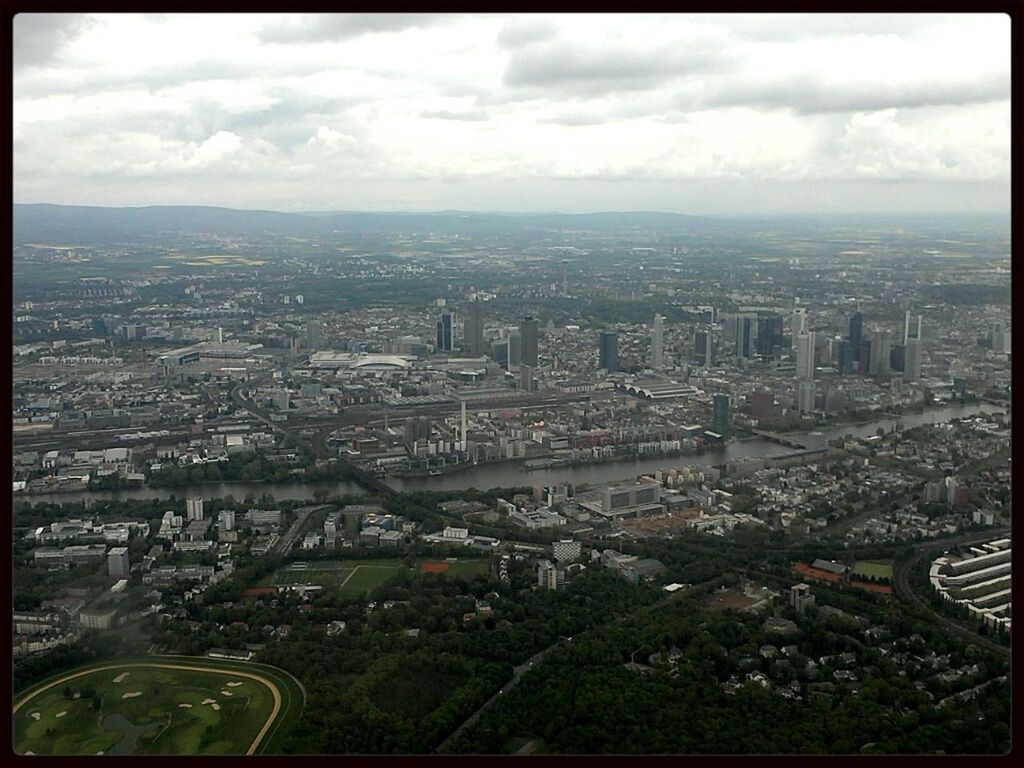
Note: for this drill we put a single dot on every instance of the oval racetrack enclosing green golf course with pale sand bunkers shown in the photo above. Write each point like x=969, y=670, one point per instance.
x=150, y=708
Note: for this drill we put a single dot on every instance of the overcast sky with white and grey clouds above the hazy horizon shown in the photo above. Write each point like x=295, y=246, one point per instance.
x=694, y=114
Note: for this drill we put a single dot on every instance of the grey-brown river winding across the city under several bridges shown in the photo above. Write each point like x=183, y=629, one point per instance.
x=509, y=476
